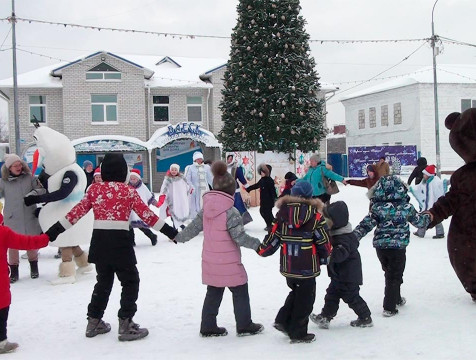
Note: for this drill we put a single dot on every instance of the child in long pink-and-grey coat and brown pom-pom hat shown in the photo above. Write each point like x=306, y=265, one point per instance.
x=223, y=230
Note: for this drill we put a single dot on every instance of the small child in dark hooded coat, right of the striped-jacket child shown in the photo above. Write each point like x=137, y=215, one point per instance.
x=344, y=269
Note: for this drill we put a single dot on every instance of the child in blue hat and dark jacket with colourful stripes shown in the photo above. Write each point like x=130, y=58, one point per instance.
x=300, y=232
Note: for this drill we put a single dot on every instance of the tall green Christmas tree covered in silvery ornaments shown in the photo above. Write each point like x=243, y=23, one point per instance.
x=270, y=86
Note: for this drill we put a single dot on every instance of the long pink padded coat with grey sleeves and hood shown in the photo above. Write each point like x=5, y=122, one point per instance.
x=223, y=235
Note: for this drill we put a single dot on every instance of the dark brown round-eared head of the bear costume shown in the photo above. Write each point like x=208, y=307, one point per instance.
x=462, y=138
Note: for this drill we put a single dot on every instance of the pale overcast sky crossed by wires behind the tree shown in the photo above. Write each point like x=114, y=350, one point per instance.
x=326, y=20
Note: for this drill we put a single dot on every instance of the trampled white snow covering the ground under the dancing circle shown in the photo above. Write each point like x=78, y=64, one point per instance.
x=436, y=323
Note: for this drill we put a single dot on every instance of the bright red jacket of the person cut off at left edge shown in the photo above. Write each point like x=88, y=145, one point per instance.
x=12, y=240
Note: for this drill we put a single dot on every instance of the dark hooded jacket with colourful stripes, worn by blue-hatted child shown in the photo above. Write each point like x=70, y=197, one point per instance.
x=301, y=234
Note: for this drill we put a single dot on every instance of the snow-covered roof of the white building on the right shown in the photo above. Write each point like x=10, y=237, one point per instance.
x=446, y=74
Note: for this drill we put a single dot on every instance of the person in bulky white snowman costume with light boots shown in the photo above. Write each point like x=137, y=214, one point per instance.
x=57, y=156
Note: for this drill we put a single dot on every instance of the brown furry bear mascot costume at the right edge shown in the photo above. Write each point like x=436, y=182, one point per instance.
x=460, y=201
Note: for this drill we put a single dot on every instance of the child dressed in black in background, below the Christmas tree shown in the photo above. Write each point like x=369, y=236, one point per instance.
x=267, y=194
